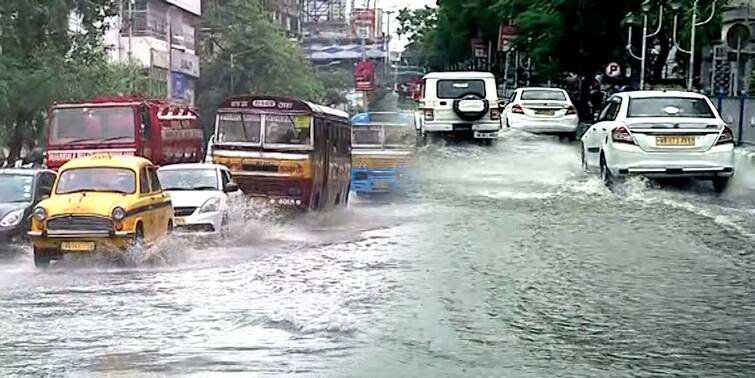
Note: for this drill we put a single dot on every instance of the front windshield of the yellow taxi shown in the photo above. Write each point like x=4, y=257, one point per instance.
x=97, y=179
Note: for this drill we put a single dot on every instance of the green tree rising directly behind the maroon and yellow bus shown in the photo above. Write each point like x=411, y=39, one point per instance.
x=265, y=62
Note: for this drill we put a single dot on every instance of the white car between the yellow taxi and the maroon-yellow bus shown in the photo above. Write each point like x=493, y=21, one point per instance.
x=201, y=195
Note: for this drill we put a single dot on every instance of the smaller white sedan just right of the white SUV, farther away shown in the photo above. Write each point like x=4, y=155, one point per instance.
x=541, y=111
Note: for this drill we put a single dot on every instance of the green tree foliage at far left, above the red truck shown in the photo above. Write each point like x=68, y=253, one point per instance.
x=44, y=60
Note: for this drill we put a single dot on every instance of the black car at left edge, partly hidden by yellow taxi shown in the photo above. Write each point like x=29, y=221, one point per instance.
x=20, y=191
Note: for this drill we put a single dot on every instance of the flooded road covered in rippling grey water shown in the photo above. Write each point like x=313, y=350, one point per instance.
x=508, y=262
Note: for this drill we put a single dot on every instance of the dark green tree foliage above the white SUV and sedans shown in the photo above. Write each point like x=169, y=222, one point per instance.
x=560, y=36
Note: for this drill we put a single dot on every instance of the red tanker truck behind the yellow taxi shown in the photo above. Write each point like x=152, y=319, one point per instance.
x=151, y=128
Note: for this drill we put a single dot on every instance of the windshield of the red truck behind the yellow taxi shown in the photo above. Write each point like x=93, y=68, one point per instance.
x=92, y=125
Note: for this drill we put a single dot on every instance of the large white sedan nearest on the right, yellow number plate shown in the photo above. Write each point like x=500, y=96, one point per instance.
x=660, y=134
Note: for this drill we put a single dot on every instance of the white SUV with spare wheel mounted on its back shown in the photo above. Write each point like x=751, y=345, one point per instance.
x=460, y=104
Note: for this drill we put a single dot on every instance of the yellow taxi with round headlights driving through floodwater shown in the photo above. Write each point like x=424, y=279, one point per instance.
x=100, y=203
